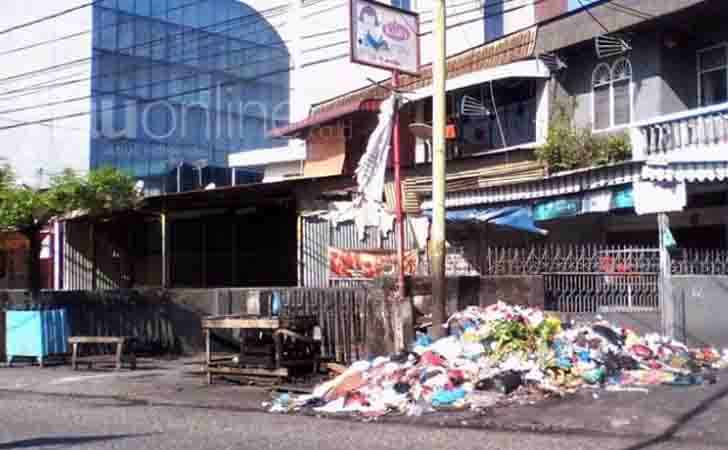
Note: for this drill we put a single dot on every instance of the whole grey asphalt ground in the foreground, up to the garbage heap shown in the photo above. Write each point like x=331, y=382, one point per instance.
x=163, y=406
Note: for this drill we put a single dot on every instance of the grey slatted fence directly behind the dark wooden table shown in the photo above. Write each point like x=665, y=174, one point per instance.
x=341, y=313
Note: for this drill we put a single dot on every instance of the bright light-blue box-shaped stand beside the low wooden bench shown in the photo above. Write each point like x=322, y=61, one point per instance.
x=36, y=334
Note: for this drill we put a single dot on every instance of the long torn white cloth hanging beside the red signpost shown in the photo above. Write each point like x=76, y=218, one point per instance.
x=373, y=165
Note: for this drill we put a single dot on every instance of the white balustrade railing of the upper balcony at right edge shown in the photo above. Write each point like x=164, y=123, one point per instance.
x=695, y=135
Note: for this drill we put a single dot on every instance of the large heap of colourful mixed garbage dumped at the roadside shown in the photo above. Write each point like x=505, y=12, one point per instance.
x=506, y=354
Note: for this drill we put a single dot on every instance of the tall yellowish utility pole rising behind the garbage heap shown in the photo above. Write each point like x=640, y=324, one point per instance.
x=439, y=119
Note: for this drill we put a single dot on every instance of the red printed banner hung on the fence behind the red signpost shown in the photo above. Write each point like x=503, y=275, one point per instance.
x=368, y=264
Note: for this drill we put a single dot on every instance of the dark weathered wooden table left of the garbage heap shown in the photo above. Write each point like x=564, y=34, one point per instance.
x=280, y=328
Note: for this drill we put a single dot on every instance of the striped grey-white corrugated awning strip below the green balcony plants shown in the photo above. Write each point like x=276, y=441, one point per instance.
x=560, y=184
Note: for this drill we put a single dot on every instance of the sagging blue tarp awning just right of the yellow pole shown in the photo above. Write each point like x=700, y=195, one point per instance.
x=516, y=217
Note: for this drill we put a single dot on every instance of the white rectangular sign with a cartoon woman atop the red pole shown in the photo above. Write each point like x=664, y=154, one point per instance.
x=385, y=37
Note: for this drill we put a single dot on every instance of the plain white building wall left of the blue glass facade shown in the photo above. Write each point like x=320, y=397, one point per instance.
x=37, y=152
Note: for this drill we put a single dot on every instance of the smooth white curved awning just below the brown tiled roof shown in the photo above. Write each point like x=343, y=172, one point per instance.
x=532, y=68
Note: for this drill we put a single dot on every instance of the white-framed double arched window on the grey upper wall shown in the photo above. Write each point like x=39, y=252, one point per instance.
x=612, y=94
